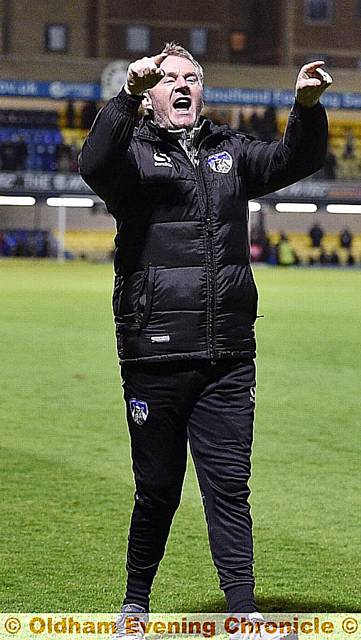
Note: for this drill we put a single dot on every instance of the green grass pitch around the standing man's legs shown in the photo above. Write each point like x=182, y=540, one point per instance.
x=65, y=467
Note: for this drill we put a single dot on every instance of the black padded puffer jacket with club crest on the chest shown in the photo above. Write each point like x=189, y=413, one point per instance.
x=183, y=285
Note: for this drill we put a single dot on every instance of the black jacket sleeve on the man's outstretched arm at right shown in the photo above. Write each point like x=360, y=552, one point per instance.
x=268, y=166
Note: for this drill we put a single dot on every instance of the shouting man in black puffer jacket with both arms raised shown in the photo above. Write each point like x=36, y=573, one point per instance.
x=185, y=301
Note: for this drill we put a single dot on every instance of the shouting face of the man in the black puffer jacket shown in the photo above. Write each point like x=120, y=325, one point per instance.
x=177, y=99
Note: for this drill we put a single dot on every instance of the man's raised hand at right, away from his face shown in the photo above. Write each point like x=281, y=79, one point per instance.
x=311, y=82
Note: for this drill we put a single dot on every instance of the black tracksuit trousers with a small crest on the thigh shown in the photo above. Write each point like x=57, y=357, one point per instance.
x=212, y=406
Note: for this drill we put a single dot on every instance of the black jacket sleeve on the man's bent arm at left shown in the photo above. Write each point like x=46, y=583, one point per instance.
x=106, y=162
